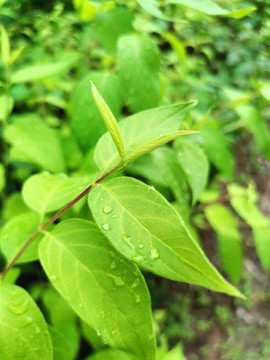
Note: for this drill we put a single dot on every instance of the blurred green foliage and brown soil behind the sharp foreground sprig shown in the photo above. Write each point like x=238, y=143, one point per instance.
x=218, y=179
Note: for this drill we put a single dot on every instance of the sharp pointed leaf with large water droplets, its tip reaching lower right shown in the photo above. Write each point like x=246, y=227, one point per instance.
x=145, y=228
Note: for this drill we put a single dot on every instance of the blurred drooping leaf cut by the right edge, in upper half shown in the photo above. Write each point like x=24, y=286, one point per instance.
x=257, y=126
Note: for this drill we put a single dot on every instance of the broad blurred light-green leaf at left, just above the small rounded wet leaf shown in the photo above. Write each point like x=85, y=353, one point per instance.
x=30, y=136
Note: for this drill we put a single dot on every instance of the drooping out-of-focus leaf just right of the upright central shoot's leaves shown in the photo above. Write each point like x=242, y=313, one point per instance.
x=194, y=164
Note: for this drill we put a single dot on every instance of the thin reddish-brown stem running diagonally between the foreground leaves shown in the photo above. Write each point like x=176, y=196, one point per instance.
x=52, y=219
